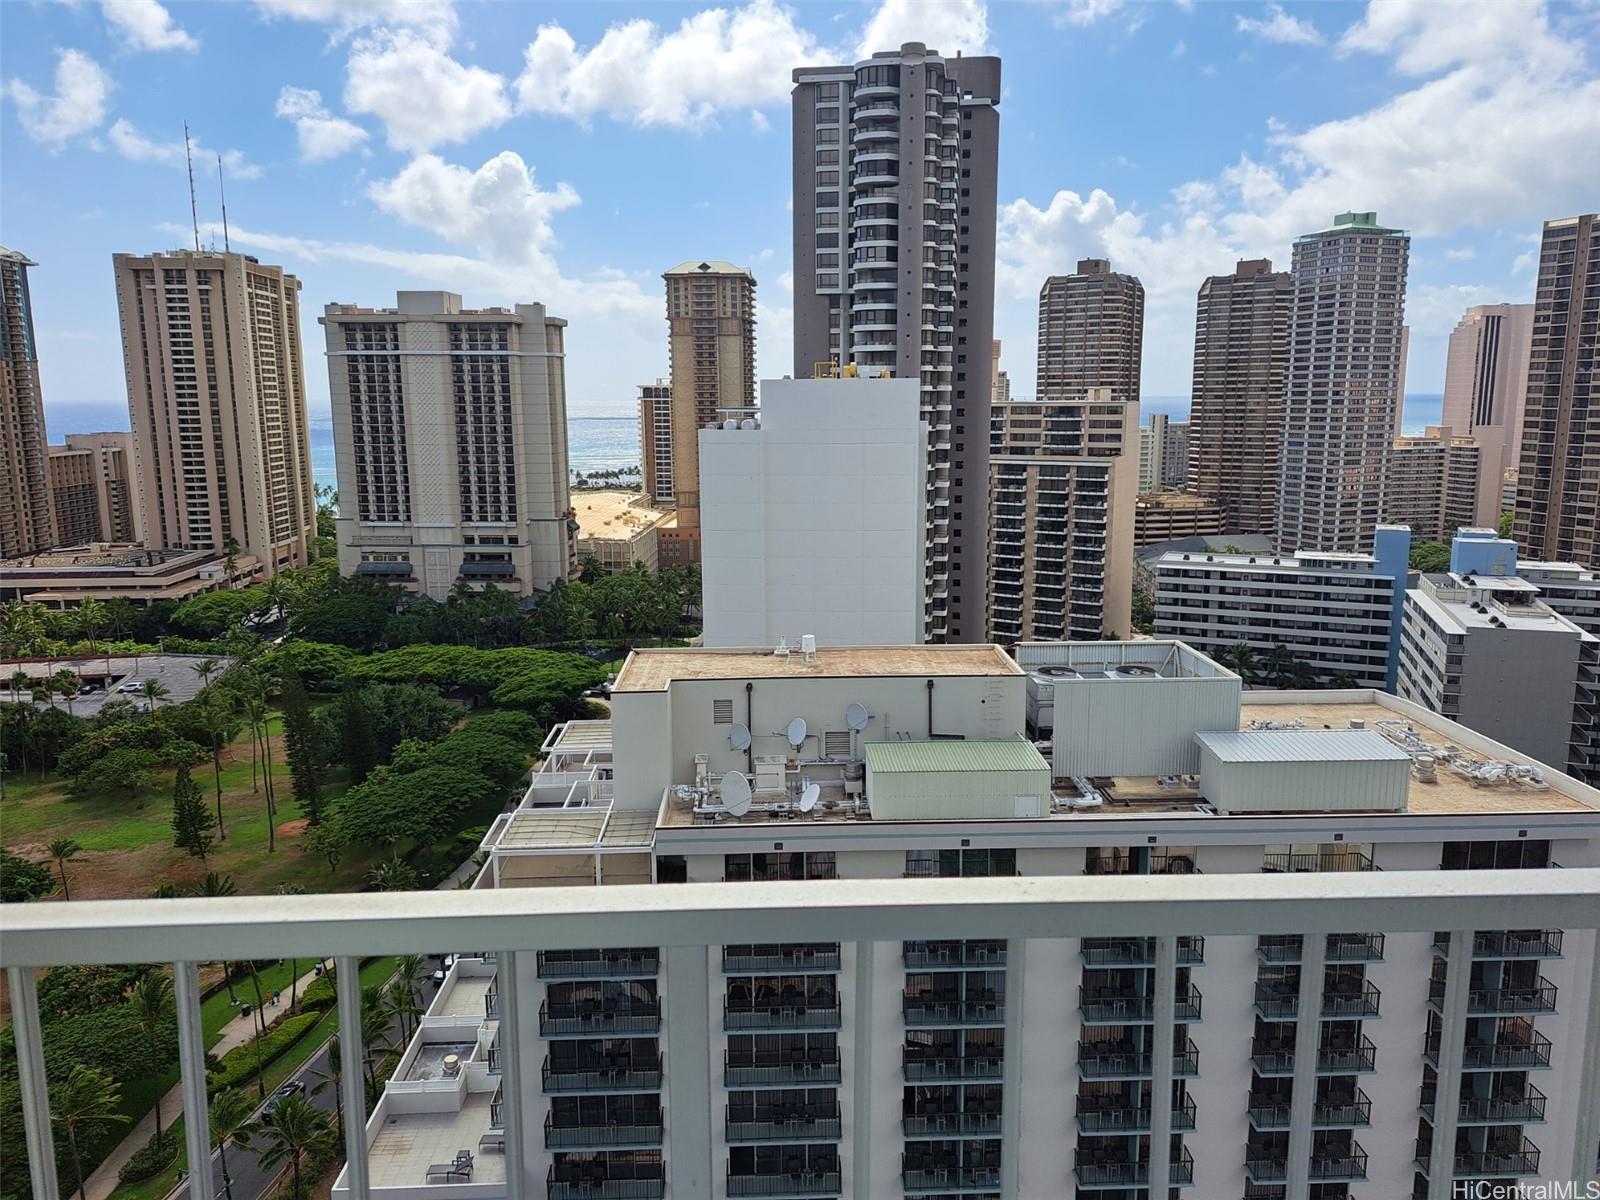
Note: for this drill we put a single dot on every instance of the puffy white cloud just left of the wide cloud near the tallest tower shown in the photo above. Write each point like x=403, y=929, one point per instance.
x=423, y=97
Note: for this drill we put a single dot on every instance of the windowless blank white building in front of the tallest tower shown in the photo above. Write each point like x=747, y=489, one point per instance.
x=814, y=518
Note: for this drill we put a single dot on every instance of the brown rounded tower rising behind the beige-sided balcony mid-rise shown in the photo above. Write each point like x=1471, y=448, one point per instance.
x=1090, y=334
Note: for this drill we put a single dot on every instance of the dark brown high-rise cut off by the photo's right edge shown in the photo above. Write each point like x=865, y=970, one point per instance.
x=1559, y=476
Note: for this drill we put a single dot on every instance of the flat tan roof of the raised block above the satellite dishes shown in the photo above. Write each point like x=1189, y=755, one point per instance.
x=655, y=670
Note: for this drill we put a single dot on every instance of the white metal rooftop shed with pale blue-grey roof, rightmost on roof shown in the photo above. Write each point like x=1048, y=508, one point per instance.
x=1303, y=772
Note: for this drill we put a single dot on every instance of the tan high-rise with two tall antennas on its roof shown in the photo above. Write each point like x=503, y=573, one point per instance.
x=217, y=396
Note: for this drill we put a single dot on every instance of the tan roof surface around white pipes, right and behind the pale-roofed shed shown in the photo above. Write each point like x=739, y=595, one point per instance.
x=1454, y=793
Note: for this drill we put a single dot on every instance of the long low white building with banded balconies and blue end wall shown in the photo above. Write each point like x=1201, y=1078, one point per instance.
x=1337, y=614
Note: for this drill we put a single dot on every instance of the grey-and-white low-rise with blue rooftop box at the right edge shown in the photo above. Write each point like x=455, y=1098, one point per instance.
x=1482, y=647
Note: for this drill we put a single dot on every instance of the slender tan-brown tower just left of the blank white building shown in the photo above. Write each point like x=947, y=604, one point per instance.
x=711, y=329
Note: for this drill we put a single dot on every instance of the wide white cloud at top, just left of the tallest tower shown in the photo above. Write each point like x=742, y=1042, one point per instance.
x=716, y=60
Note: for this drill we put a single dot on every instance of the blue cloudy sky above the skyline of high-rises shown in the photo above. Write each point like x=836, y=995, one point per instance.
x=570, y=153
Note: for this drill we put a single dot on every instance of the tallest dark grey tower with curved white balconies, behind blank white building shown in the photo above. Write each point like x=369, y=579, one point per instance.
x=895, y=199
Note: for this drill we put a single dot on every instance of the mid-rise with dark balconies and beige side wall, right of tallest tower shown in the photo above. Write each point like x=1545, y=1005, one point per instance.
x=1063, y=486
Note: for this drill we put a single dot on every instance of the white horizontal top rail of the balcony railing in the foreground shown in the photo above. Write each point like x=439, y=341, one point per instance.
x=698, y=914
